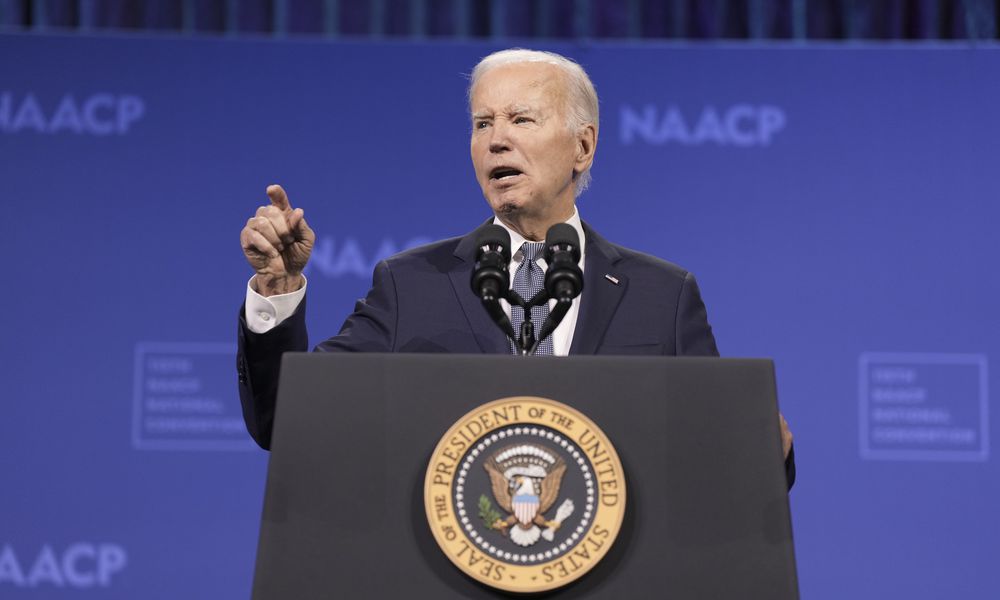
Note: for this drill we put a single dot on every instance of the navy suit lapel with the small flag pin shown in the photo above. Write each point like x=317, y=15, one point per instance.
x=601, y=296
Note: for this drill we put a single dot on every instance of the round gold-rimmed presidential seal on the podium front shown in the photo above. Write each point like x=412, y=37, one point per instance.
x=525, y=494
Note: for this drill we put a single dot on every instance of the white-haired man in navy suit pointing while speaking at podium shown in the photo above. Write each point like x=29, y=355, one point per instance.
x=534, y=134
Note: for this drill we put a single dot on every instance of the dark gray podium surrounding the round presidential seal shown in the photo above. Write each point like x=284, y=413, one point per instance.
x=707, y=510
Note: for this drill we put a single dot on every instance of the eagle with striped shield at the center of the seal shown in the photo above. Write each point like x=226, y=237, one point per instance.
x=525, y=479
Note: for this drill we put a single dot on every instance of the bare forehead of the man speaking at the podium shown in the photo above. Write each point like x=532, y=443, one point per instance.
x=521, y=84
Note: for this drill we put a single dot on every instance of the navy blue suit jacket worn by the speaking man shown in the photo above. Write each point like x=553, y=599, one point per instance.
x=420, y=301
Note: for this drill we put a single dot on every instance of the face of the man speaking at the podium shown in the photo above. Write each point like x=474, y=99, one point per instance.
x=524, y=154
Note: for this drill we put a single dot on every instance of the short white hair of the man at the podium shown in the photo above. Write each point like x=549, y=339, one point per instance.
x=582, y=109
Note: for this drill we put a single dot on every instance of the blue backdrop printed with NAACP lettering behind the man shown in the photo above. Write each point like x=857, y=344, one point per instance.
x=839, y=206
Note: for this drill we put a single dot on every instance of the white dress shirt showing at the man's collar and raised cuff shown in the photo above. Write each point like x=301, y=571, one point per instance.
x=265, y=313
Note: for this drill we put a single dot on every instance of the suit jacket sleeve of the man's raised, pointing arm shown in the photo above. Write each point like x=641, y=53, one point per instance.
x=370, y=328
